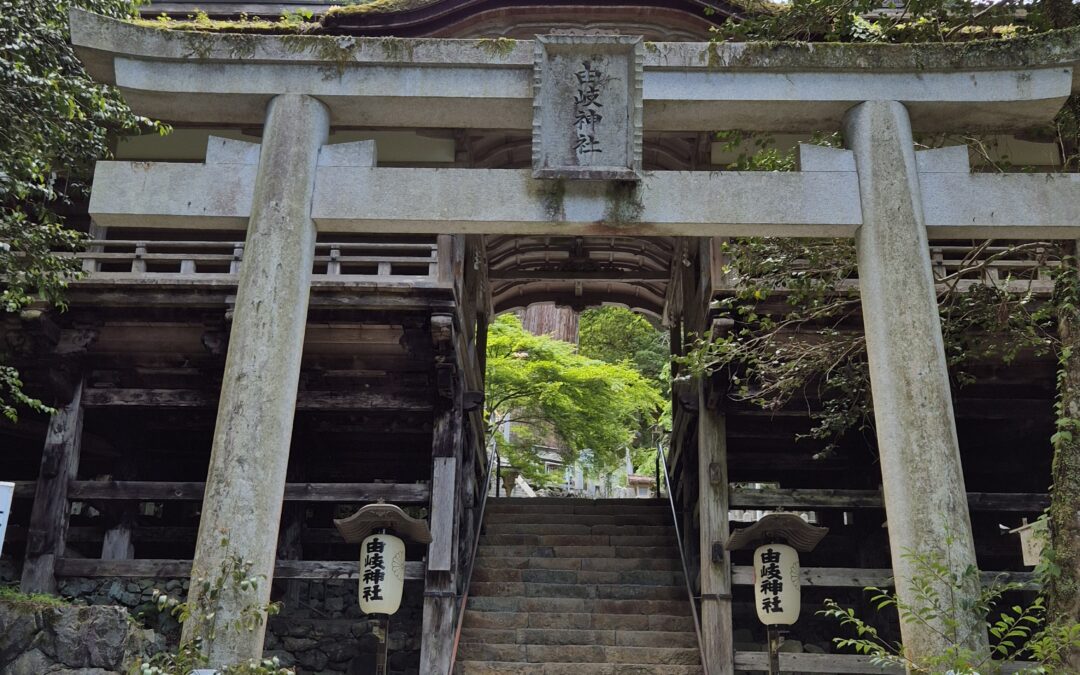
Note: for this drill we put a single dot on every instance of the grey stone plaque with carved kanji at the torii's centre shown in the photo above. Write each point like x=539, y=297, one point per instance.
x=587, y=111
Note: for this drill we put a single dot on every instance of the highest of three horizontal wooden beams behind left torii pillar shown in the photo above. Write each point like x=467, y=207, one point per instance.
x=368, y=401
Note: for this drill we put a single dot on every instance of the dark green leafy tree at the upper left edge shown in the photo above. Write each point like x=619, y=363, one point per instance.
x=55, y=124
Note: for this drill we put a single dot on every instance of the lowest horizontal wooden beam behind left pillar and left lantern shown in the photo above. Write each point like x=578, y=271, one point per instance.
x=182, y=569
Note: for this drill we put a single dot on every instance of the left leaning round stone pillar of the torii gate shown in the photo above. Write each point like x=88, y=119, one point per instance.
x=247, y=480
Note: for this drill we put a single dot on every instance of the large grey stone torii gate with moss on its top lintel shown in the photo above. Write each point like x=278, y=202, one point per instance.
x=881, y=192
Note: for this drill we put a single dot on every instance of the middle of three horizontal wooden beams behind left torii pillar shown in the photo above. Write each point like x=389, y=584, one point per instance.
x=152, y=491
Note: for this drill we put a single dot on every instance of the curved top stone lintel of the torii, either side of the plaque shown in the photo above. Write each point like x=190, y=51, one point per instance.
x=688, y=87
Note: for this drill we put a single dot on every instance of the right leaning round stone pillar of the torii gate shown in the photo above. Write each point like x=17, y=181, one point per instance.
x=923, y=479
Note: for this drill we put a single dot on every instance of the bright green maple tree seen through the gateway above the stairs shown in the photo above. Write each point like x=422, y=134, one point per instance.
x=542, y=387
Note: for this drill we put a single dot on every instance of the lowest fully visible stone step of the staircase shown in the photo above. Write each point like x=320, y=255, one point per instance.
x=579, y=654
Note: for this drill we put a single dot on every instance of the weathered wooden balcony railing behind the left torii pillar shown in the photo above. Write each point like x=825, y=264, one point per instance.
x=385, y=263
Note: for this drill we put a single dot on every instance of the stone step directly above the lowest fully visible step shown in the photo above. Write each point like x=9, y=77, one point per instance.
x=609, y=638
